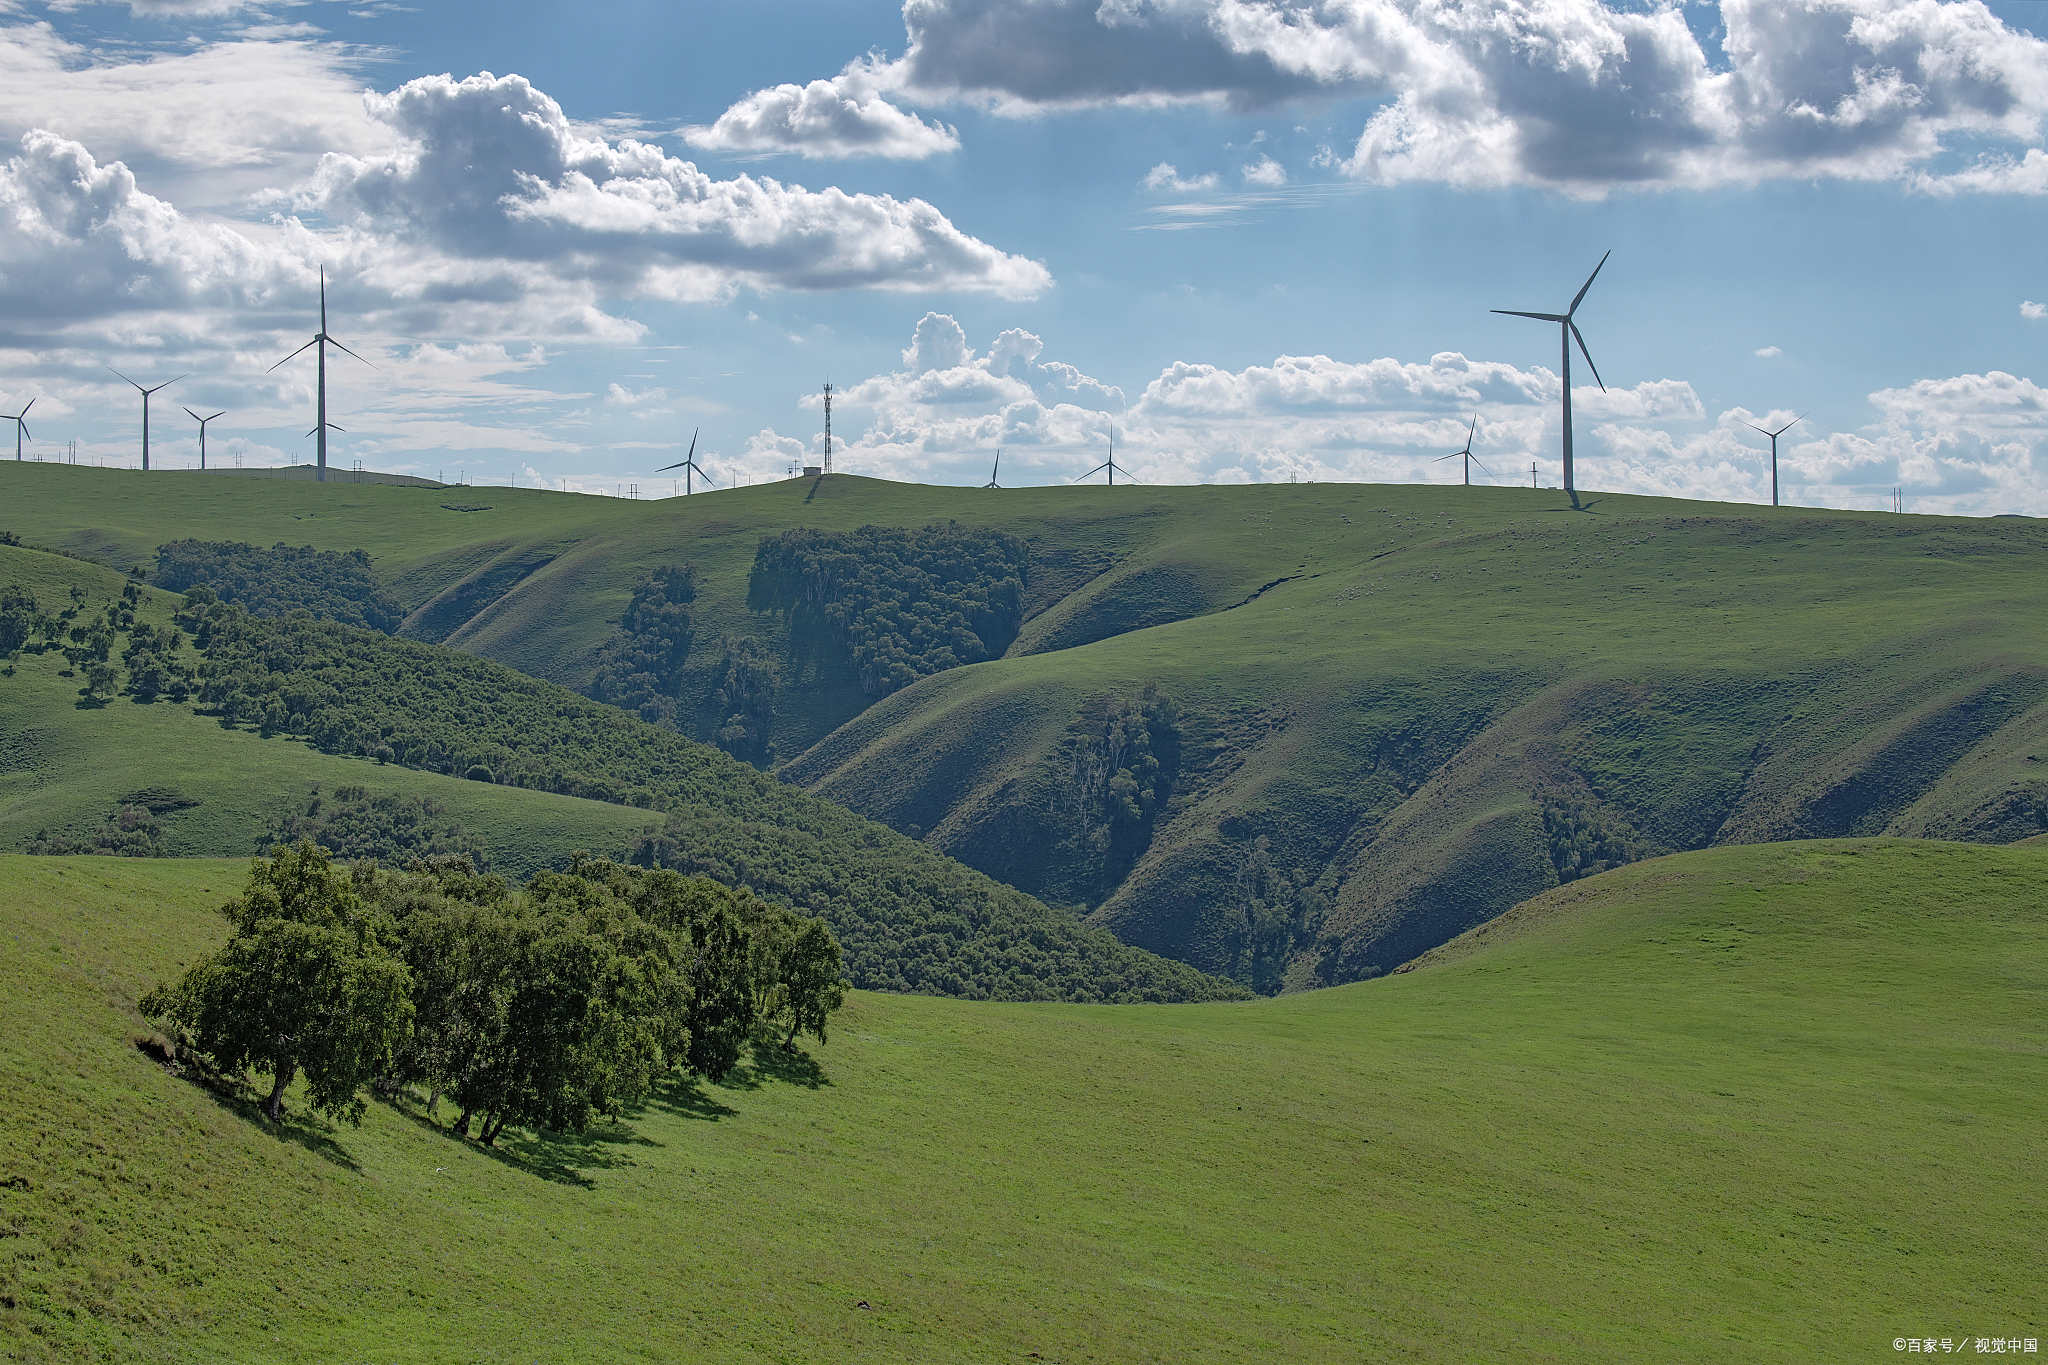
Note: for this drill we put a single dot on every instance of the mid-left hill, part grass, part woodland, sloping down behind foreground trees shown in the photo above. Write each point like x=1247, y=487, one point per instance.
x=908, y=918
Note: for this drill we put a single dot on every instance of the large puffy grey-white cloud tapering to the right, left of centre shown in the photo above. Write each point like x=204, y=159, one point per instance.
x=493, y=171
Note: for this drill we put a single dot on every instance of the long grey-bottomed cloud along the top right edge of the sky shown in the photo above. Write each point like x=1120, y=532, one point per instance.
x=1574, y=95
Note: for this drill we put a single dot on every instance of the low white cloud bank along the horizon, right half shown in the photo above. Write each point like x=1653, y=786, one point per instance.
x=1957, y=445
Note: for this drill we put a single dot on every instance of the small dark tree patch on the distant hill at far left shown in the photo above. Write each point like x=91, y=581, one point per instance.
x=282, y=580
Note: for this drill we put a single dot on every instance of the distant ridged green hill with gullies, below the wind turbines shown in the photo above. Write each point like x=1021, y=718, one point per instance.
x=1400, y=709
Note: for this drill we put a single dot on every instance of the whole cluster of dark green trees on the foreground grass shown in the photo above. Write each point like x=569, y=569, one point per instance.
x=542, y=1010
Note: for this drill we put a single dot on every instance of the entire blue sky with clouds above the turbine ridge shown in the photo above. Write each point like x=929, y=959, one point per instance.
x=1252, y=238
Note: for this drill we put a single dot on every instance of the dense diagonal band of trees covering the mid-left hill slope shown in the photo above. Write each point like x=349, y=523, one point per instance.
x=910, y=920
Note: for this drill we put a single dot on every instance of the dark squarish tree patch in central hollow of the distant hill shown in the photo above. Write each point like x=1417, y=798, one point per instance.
x=898, y=603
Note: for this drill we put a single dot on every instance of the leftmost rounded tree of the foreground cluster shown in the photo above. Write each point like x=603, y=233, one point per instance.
x=306, y=985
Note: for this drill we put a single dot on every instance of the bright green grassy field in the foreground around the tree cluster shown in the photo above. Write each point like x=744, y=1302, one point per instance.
x=1775, y=1102
